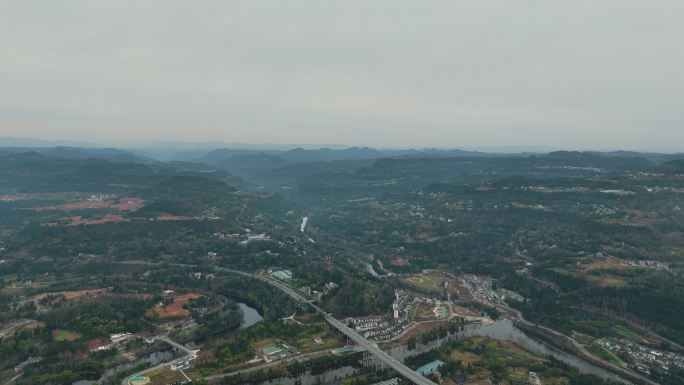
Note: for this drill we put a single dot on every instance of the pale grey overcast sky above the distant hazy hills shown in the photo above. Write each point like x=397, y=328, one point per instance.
x=580, y=74
